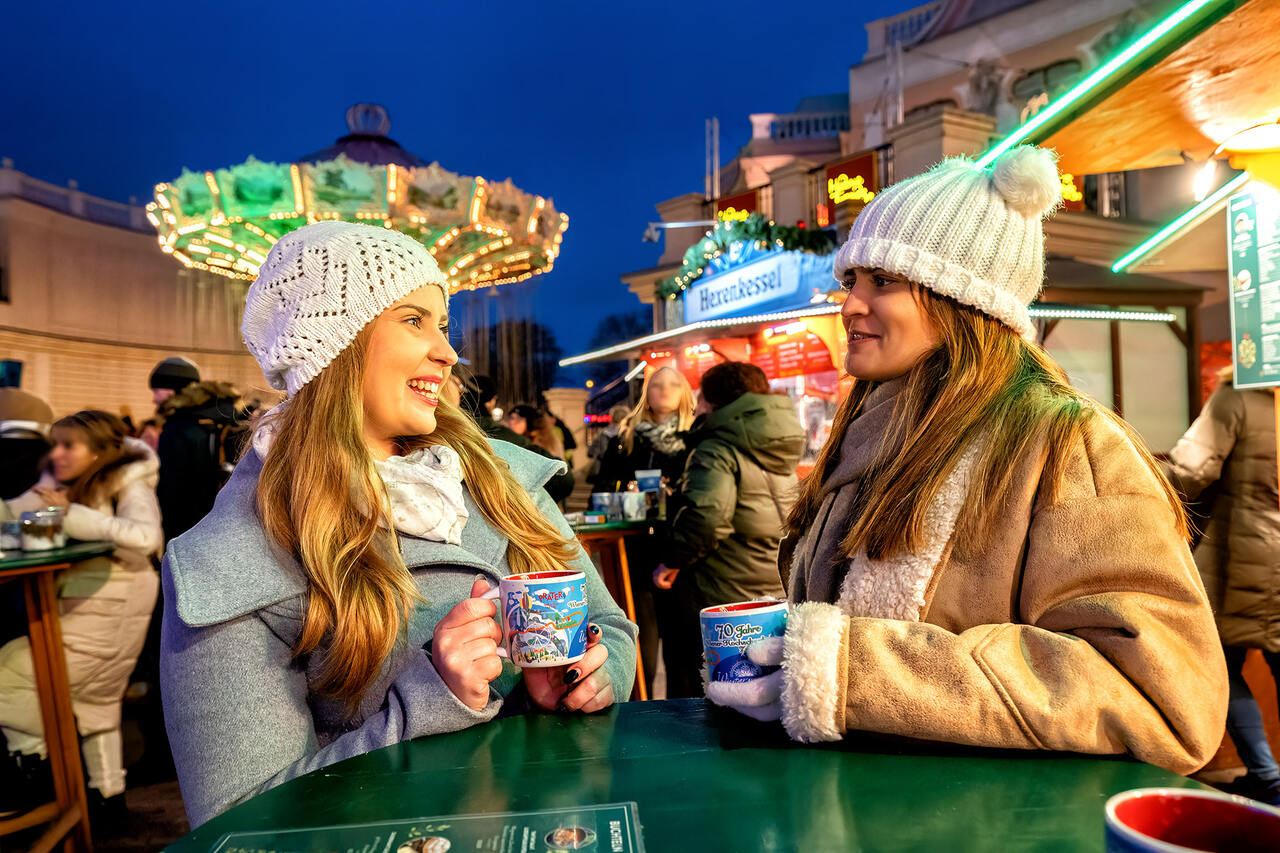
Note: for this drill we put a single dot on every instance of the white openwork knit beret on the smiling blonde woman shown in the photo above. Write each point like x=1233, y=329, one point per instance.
x=321, y=286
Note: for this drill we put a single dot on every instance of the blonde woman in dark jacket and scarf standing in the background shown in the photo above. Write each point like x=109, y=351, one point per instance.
x=650, y=439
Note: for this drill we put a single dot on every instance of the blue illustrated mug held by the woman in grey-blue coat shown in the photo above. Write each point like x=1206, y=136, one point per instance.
x=543, y=618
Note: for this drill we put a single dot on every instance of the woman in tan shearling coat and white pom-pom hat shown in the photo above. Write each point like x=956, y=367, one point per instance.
x=982, y=555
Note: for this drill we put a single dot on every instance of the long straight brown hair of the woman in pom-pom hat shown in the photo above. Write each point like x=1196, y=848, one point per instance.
x=984, y=384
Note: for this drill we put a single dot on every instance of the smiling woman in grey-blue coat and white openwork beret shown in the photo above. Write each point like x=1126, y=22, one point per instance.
x=331, y=604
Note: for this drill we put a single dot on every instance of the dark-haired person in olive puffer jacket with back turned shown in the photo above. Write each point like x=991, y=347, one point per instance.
x=739, y=486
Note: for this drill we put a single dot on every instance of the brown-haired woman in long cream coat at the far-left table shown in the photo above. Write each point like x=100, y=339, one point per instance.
x=107, y=485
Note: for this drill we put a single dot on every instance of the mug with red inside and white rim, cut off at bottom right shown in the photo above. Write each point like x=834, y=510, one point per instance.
x=1177, y=820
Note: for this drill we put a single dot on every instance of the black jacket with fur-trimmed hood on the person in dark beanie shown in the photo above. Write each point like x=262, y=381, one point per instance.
x=200, y=443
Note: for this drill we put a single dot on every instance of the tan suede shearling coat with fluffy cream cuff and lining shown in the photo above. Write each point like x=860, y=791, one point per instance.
x=1080, y=626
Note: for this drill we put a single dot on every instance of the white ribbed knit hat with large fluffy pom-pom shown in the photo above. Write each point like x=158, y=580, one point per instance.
x=973, y=235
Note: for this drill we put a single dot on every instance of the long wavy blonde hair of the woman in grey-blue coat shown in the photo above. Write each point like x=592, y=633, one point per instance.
x=321, y=500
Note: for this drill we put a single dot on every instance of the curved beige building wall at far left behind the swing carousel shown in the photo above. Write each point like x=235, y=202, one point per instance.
x=89, y=304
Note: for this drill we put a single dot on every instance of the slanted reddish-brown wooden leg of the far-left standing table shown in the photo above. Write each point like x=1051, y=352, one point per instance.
x=56, y=706
